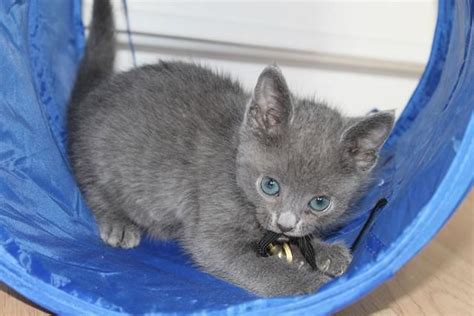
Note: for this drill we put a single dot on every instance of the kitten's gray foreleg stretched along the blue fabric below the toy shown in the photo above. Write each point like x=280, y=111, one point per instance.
x=269, y=276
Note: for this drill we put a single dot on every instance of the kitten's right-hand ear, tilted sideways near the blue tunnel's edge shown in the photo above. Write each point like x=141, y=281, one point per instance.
x=361, y=142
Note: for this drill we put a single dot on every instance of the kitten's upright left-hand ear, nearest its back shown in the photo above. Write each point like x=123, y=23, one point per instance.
x=270, y=109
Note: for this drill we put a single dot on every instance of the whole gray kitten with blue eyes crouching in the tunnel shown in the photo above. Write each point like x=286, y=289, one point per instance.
x=177, y=151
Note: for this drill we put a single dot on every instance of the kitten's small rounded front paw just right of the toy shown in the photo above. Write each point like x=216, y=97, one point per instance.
x=333, y=259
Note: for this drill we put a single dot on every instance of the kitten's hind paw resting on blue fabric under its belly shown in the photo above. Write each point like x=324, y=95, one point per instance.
x=120, y=234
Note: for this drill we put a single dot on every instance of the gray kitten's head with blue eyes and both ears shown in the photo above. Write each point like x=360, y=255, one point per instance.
x=300, y=162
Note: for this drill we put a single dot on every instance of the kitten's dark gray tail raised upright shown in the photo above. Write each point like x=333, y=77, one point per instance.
x=99, y=55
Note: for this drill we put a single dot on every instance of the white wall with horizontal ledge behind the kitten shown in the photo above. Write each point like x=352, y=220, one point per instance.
x=355, y=54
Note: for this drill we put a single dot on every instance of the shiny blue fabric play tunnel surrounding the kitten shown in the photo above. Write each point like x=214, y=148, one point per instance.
x=49, y=248
